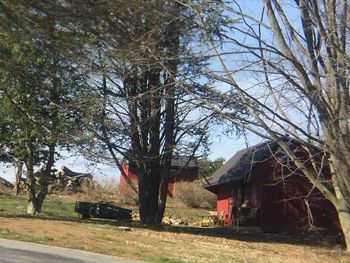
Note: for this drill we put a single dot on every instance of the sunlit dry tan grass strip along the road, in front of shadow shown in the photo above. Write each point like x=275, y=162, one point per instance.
x=161, y=245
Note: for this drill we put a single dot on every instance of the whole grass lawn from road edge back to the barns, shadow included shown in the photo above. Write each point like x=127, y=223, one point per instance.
x=59, y=225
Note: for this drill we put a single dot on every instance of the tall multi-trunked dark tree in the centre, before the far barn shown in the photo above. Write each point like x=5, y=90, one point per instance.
x=142, y=70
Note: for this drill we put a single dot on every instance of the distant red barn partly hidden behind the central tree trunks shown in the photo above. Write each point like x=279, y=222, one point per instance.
x=182, y=169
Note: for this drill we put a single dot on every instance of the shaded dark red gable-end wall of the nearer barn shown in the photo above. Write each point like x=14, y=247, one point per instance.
x=283, y=207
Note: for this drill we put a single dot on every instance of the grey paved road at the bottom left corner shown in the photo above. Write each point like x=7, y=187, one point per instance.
x=24, y=252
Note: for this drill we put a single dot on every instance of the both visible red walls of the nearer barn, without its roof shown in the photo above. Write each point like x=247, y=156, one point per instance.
x=280, y=203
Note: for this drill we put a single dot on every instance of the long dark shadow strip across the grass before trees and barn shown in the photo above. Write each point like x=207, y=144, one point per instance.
x=318, y=239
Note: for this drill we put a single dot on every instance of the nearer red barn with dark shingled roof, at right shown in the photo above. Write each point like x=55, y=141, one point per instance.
x=257, y=188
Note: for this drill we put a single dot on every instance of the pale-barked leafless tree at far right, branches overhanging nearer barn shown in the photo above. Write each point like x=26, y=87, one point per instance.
x=294, y=57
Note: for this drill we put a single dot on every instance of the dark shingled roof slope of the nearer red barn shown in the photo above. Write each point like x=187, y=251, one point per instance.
x=241, y=164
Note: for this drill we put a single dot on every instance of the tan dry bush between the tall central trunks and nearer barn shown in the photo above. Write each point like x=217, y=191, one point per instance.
x=192, y=194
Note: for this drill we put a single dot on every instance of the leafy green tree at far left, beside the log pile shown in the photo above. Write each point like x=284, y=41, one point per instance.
x=40, y=84
